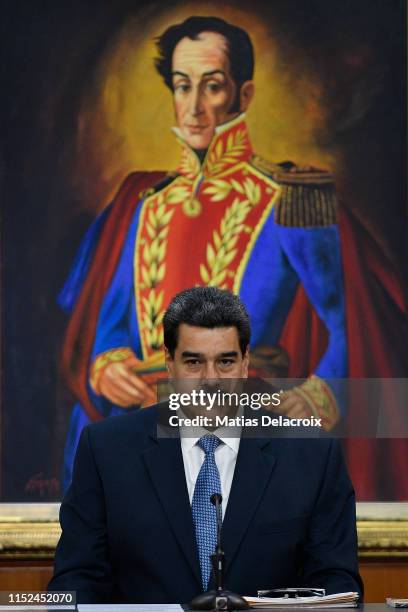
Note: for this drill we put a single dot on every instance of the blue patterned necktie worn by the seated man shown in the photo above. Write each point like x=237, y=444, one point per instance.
x=204, y=515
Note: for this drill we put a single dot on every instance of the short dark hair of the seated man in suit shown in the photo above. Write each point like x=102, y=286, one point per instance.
x=206, y=307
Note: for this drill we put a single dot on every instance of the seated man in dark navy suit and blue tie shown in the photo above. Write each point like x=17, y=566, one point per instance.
x=137, y=523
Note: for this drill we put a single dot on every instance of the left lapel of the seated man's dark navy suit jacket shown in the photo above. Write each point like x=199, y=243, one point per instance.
x=164, y=461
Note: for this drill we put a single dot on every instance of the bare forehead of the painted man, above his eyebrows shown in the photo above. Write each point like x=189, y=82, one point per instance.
x=207, y=52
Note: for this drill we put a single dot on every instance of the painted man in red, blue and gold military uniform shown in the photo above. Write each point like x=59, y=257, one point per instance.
x=225, y=218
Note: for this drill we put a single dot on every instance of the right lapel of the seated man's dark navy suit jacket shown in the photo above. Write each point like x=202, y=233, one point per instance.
x=252, y=472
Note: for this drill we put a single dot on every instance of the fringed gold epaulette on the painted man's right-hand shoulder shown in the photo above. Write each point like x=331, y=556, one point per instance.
x=308, y=197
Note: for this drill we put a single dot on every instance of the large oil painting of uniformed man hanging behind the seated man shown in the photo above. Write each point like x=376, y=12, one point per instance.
x=111, y=195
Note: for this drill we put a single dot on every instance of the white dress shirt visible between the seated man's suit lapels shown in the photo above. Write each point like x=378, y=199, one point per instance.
x=225, y=458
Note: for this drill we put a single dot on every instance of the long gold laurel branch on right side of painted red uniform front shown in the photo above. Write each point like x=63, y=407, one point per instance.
x=222, y=250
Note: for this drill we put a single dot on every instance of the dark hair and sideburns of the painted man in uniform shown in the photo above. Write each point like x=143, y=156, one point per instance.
x=240, y=50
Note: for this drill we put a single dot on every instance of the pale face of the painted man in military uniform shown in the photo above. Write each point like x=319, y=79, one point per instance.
x=204, y=89
